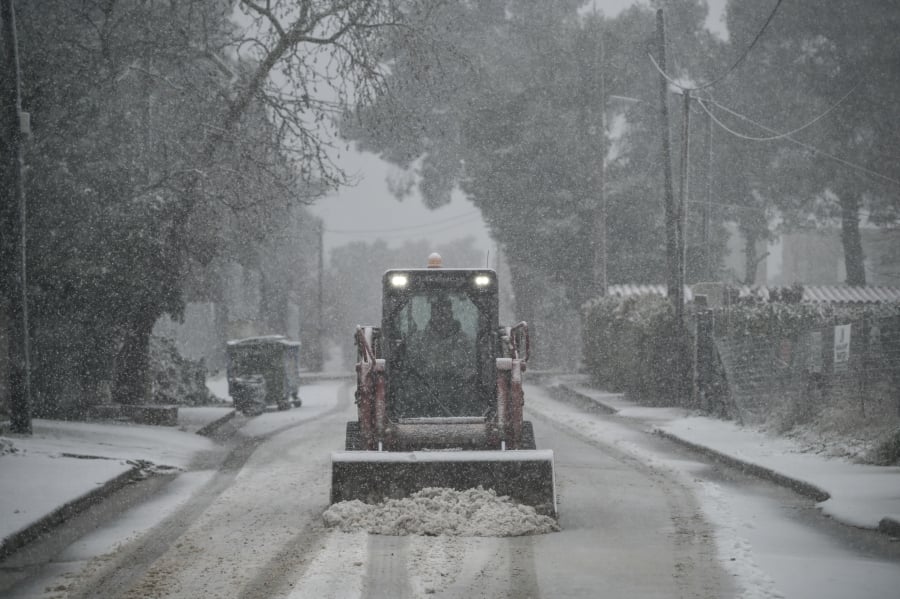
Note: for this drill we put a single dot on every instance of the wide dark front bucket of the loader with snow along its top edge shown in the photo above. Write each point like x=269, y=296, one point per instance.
x=526, y=476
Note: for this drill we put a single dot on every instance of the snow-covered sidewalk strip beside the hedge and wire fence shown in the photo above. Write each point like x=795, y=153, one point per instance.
x=855, y=494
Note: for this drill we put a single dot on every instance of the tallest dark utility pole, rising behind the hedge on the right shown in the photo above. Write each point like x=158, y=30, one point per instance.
x=674, y=279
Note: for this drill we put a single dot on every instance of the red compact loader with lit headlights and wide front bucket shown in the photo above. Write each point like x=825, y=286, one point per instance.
x=439, y=395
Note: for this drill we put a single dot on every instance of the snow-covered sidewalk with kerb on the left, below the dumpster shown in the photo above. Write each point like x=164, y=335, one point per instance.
x=63, y=466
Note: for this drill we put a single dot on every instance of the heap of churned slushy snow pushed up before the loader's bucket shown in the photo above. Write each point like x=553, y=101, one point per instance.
x=439, y=511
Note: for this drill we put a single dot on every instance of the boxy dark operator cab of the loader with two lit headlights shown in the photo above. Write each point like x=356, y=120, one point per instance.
x=439, y=328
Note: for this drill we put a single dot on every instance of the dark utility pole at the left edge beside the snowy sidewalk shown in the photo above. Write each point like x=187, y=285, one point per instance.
x=12, y=227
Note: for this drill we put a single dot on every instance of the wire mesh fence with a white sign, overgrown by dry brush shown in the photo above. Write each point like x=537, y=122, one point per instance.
x=854, y=363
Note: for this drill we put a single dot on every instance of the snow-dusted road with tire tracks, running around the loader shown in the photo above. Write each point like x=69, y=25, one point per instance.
x=636, y=521
